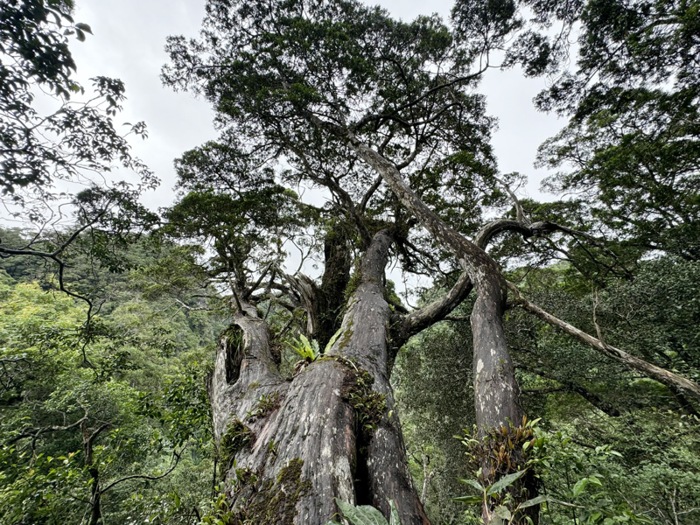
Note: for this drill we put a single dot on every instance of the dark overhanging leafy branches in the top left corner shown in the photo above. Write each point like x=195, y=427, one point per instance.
x=34, y=36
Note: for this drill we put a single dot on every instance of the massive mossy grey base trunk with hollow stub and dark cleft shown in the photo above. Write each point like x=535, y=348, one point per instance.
x=289, y=448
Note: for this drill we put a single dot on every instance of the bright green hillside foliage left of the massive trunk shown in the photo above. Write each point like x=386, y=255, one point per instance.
x=125, y=407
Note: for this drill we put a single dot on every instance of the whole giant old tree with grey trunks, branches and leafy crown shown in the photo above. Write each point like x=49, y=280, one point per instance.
x=379, y=117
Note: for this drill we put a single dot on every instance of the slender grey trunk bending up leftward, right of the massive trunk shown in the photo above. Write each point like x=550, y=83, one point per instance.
x=496, y=392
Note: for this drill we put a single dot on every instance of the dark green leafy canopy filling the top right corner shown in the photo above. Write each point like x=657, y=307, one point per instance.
x=630, y=148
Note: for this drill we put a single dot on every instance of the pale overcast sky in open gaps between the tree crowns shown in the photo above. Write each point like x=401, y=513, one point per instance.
x=128, y=42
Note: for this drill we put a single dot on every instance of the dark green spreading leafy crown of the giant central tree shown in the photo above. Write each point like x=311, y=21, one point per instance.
x=404, y=86
